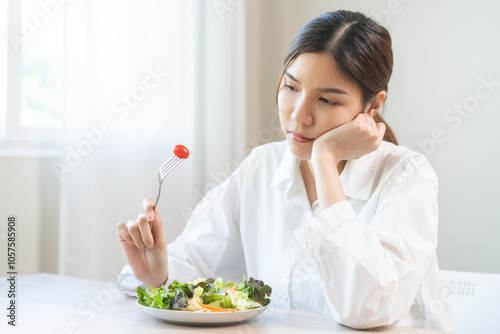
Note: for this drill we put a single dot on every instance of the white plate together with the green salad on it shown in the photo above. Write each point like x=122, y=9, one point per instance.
x=206, y=301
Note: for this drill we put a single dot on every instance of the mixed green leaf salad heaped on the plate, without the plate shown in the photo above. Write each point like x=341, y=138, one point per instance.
x=207, y=295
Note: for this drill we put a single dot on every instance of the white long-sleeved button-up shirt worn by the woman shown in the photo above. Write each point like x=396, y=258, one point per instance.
x=368, y=261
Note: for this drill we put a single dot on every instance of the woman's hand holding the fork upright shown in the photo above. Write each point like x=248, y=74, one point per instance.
x=145, y=246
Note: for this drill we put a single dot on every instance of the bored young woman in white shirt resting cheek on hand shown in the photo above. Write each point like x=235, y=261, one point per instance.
x=337, y=218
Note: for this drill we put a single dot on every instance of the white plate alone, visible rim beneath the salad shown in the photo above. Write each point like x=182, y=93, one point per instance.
x=202, y=318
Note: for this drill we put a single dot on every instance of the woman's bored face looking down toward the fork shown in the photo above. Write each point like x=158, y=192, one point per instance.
x=314, y=98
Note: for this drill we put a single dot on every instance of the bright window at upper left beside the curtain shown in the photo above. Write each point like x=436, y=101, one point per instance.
x=32, y=91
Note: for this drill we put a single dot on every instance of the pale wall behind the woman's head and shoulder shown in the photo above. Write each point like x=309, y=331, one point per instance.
x=441, y=50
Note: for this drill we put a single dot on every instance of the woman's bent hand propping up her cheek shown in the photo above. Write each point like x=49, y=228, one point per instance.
x=349, y=141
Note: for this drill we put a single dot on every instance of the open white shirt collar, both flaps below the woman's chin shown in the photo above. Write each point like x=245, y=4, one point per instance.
x=357, y=177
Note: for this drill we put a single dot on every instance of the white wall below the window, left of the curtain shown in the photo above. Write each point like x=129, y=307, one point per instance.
x=30, y=190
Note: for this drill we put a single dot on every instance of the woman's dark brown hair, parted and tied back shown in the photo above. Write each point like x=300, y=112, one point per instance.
x=360, y=47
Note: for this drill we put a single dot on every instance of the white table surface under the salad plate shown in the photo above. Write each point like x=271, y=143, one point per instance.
x=55, y=304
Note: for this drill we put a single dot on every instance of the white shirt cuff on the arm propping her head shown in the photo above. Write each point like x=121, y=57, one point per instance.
x=326, y=223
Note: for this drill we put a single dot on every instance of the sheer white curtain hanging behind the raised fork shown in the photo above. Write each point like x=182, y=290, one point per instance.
x=141, y=77
